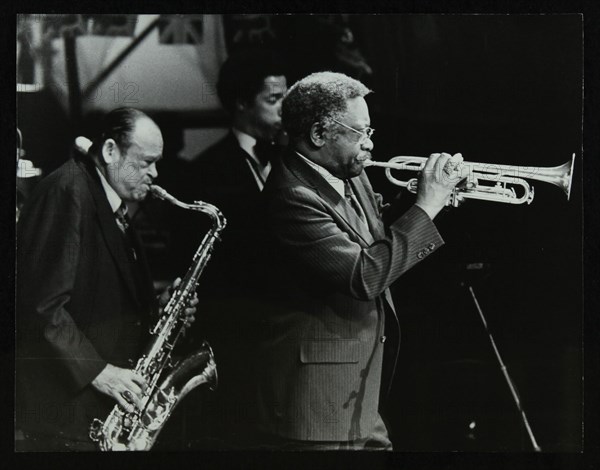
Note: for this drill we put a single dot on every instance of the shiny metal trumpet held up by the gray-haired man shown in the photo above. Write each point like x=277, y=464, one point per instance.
x=485, y=181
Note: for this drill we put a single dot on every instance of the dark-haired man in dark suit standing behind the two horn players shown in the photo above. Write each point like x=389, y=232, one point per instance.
x=231, y=175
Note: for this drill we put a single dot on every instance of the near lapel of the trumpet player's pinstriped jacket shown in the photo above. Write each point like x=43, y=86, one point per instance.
x=339, y=204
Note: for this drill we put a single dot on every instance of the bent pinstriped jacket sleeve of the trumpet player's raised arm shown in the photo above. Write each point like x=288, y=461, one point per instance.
x=303, y=225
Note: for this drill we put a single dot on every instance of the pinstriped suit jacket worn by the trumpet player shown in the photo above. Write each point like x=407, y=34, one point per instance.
x=323, y=343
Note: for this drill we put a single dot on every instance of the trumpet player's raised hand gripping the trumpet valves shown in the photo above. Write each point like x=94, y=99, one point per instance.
x=439, y=177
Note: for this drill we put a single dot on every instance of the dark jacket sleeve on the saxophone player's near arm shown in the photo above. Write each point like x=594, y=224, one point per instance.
x=48, y=252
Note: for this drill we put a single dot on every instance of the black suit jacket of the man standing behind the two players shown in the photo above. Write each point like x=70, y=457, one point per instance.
x=233, y=281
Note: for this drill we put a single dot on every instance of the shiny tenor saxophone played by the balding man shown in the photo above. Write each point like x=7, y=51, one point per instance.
x=167, y=383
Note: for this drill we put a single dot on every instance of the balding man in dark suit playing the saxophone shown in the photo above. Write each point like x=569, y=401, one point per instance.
x=84, y=293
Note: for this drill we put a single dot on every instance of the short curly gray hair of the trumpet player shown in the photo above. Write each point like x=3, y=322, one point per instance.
x=320, y=97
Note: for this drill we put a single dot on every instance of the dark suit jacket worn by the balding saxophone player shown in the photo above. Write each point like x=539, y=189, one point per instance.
x=81, y=302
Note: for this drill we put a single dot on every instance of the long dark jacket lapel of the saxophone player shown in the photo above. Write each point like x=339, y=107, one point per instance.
x=110, y=230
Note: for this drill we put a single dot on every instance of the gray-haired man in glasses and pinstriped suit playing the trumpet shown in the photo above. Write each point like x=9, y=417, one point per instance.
x=331, y=341
